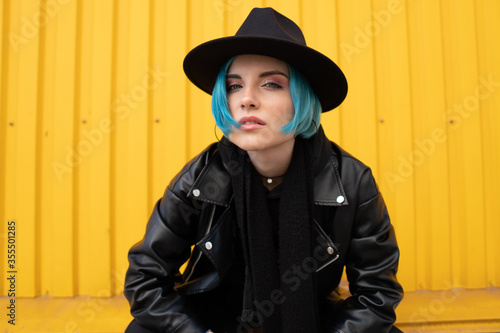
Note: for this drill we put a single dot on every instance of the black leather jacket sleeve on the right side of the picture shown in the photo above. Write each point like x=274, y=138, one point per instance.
x=371, y=266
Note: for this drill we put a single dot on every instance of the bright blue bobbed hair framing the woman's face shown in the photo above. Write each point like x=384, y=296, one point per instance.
x=307, y=107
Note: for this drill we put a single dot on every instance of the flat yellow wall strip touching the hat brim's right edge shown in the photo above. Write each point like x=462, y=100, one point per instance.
x=358, y=112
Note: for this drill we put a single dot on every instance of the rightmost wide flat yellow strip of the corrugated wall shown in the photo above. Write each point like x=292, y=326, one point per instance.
x=465, y=153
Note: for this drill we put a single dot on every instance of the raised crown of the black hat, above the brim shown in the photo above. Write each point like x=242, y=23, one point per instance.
x=268, y=23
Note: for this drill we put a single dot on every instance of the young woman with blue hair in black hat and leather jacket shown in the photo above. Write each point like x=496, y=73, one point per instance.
x=275, y=210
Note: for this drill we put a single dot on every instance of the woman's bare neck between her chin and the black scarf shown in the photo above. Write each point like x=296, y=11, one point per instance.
x=274, y=162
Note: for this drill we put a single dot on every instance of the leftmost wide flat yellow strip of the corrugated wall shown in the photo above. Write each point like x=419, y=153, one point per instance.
x=21, y=142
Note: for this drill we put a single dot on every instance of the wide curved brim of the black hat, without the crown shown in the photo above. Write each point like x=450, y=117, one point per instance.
x=202, y=64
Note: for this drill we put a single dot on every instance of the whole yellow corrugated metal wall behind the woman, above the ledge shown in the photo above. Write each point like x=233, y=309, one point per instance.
x=97, y=116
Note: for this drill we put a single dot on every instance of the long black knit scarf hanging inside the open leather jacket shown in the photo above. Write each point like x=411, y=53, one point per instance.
x=280, y=292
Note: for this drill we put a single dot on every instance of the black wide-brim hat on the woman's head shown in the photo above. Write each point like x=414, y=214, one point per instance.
x=267, y=32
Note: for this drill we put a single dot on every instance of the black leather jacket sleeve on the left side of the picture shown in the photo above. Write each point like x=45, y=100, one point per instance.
x=154, y=265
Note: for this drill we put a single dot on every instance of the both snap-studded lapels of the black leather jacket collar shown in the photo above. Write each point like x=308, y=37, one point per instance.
x=213, y=185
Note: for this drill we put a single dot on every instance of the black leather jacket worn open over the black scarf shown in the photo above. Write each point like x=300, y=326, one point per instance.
x=352, y=228
